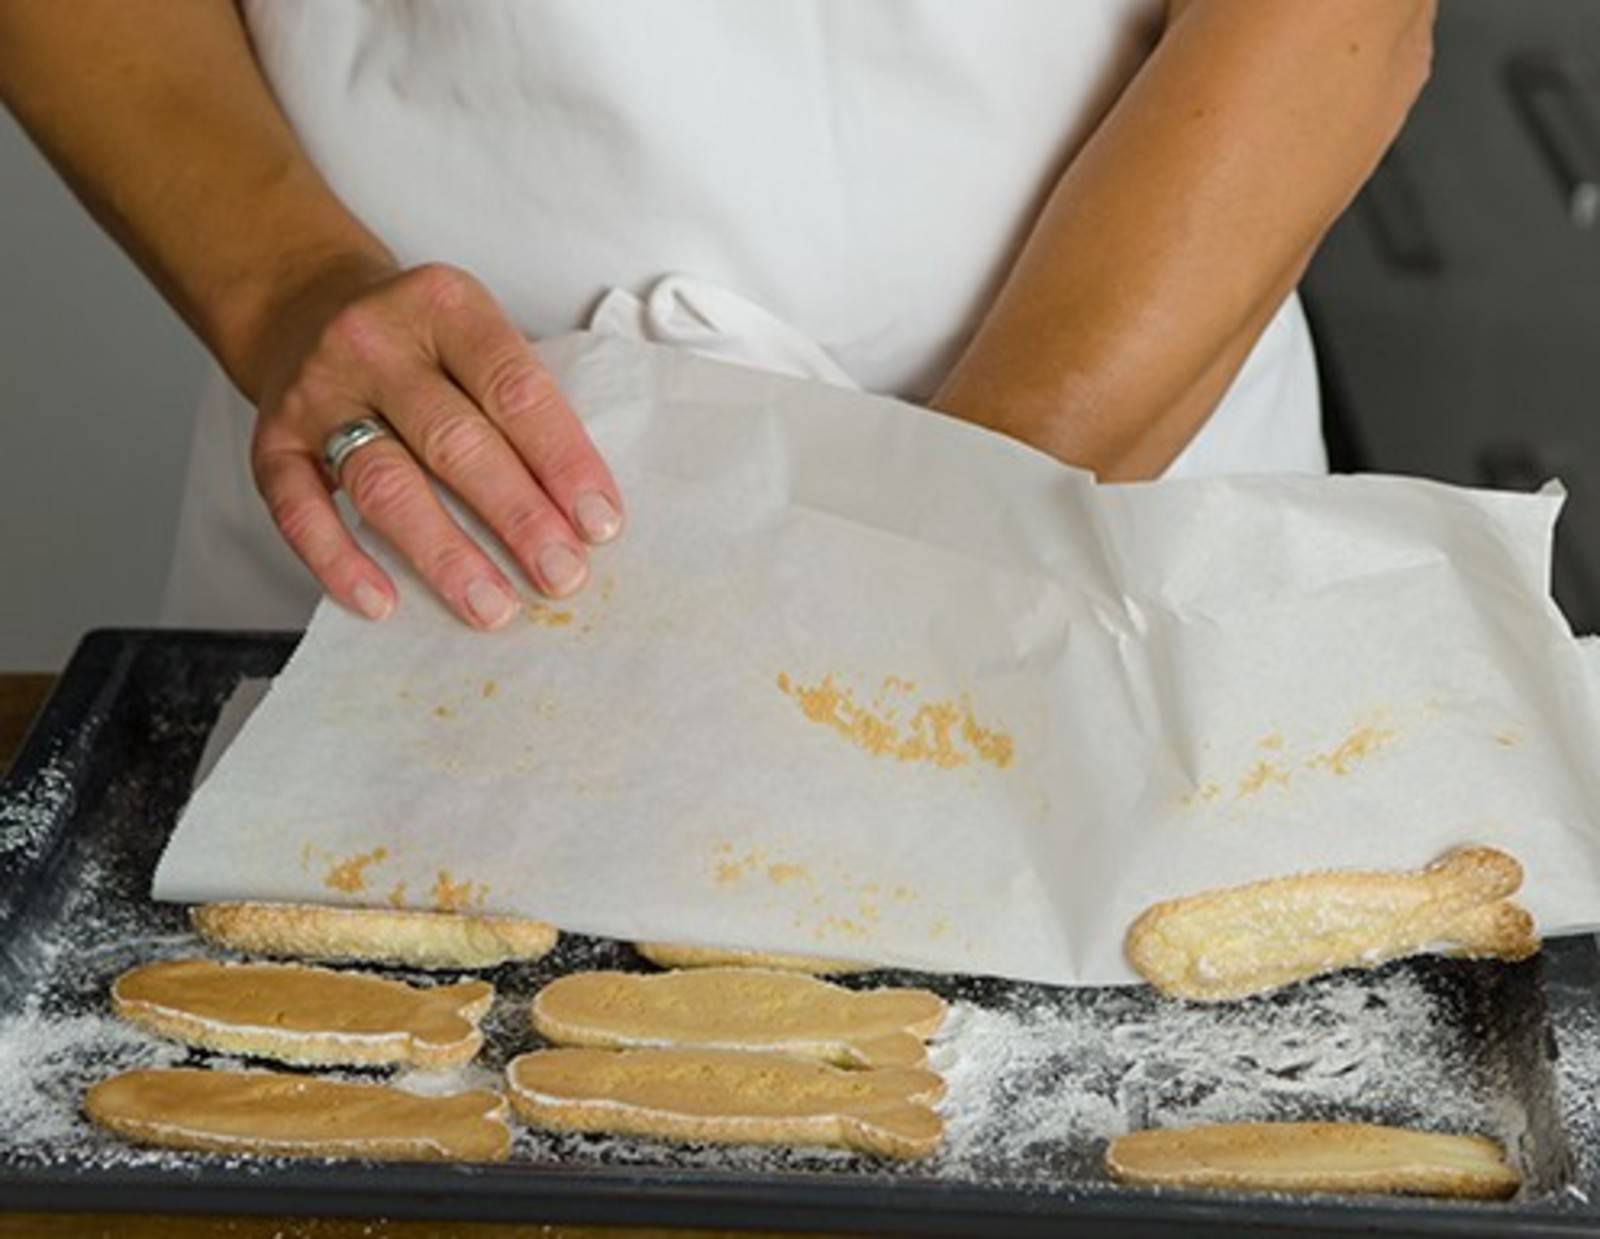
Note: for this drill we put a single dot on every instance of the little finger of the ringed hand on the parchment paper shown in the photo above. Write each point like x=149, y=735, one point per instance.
x=303, y=510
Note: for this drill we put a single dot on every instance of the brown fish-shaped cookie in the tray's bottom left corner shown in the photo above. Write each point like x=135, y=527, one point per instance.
x=298, y=1117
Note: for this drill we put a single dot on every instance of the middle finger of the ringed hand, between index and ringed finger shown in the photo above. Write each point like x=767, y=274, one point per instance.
x=455, y=443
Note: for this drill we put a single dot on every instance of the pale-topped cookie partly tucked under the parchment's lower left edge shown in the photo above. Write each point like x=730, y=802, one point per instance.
x=374, y=936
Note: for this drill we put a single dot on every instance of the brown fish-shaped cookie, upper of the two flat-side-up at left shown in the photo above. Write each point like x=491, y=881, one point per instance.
x=305, y=1016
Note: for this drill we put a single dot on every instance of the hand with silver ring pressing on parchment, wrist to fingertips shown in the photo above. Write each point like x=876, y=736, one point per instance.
x=470, y=404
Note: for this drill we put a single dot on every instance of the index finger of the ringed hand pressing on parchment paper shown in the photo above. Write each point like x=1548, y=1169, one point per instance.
x=500, y=372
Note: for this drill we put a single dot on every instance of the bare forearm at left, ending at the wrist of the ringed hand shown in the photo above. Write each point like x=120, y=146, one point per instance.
x=158, y=116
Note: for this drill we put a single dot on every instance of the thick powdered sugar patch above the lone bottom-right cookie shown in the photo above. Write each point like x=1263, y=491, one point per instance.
x=1038, y=1088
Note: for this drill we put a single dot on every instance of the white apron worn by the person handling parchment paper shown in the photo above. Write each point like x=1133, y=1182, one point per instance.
x=830, y=188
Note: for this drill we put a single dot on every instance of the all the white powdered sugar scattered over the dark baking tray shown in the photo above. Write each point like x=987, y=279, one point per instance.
x=1039, y=1080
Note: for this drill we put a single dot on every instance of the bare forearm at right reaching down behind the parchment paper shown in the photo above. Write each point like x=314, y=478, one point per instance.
x=1185, y=222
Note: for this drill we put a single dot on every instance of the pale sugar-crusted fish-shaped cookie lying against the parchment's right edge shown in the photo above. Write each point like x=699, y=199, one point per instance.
x=1247, y=940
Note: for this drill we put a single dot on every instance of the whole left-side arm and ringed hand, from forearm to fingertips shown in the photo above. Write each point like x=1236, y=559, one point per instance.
x=158, y=116
